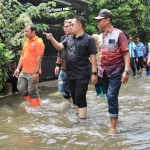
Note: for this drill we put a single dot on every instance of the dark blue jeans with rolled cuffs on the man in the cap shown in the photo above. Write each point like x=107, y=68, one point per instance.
x=112, y=85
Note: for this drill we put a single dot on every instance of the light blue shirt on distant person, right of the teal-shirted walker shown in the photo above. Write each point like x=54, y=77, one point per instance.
x=139, y=49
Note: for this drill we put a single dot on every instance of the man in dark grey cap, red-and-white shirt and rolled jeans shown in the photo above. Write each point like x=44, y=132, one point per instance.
x=114, y=62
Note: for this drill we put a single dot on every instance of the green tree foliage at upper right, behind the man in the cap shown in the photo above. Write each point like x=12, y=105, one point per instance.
x=131, y=16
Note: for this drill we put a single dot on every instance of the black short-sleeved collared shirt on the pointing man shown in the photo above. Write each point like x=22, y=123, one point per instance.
x=78, y=52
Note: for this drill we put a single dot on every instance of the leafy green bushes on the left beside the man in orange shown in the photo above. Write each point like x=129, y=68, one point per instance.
x=14, y=17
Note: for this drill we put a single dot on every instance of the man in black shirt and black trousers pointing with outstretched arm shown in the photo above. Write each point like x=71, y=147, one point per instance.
x=79, y=47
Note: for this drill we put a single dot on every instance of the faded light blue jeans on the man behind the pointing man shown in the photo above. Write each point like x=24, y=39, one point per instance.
x=63, y=85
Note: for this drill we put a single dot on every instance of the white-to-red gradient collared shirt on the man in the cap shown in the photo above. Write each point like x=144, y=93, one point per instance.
x=112, y=47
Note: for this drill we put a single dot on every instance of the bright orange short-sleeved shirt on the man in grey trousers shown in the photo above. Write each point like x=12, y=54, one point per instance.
x=31, y=49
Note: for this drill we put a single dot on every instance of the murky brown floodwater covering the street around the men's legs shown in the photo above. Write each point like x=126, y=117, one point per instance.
x=55, y=125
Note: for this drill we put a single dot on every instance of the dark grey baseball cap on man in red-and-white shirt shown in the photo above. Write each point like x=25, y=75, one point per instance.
x=104, y=13
